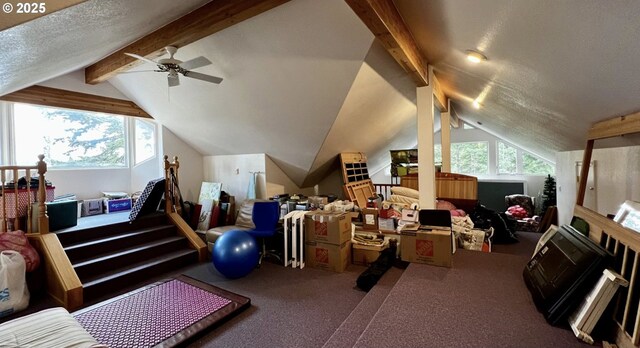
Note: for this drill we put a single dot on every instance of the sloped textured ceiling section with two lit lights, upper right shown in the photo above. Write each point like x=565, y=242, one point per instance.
x=554, y=67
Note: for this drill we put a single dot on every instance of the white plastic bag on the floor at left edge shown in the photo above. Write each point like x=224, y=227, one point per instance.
x=14, y=294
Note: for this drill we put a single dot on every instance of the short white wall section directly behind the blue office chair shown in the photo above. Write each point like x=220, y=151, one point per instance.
x=234, y=172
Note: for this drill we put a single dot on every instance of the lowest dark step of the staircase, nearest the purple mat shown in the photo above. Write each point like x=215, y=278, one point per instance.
x=119, y=278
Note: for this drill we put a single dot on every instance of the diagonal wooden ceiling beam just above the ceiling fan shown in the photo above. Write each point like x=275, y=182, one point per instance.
x=202, y=22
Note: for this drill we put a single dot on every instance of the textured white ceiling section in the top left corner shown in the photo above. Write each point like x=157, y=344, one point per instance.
x=64, y=41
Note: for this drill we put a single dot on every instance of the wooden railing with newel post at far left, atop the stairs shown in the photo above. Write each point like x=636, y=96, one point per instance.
x=11, y=219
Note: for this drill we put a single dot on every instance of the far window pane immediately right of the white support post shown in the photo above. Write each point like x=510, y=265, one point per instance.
x=470, y=158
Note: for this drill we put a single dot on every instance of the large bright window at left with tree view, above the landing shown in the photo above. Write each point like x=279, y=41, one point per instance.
x=69, y=138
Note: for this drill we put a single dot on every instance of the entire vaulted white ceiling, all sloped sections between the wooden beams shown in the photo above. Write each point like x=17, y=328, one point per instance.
x=307, y=80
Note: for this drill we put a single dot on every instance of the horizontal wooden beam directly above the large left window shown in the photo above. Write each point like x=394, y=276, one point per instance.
x=47, y=96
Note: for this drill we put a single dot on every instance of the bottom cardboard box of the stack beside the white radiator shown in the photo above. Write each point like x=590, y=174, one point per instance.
x=330, y=257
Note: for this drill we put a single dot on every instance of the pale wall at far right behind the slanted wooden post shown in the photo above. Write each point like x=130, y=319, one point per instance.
x=616, y=179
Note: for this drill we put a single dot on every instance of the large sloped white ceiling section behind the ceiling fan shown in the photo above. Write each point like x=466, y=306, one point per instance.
x=286, y=74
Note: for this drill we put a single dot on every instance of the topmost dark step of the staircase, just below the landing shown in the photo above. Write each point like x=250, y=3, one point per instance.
x=81, y=235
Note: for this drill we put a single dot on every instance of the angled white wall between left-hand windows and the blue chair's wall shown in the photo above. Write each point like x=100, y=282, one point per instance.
x=191, y=172
